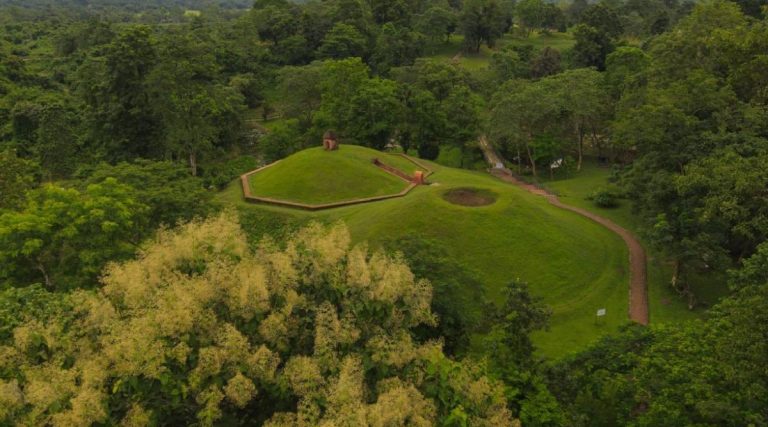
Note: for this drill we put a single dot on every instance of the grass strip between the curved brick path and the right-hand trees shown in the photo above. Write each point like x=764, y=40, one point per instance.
x=665, y=305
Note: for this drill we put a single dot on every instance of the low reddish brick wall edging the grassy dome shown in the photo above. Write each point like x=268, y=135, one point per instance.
x=412, y=183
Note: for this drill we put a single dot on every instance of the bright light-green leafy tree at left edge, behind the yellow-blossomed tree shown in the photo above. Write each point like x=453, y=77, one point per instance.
x=63, y=238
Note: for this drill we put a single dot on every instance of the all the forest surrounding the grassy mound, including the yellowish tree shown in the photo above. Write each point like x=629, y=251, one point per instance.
x=127, y=295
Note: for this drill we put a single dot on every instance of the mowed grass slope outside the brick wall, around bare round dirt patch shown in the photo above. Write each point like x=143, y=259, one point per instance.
x=573, y=264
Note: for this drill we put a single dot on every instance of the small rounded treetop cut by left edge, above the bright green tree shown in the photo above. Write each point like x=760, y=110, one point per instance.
x=17, y=176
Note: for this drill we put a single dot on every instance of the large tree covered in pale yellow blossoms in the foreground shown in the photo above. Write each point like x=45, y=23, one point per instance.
x=202, y=329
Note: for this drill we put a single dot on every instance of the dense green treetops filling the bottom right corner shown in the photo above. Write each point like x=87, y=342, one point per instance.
x=707, y=373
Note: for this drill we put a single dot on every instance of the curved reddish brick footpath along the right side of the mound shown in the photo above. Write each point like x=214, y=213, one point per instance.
x=638, y=286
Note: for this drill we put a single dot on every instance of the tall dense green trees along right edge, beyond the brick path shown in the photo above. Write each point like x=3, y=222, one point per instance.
x=690, y=126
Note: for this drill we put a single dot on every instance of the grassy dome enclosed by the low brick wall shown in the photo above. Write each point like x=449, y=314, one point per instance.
x=317, y=176
